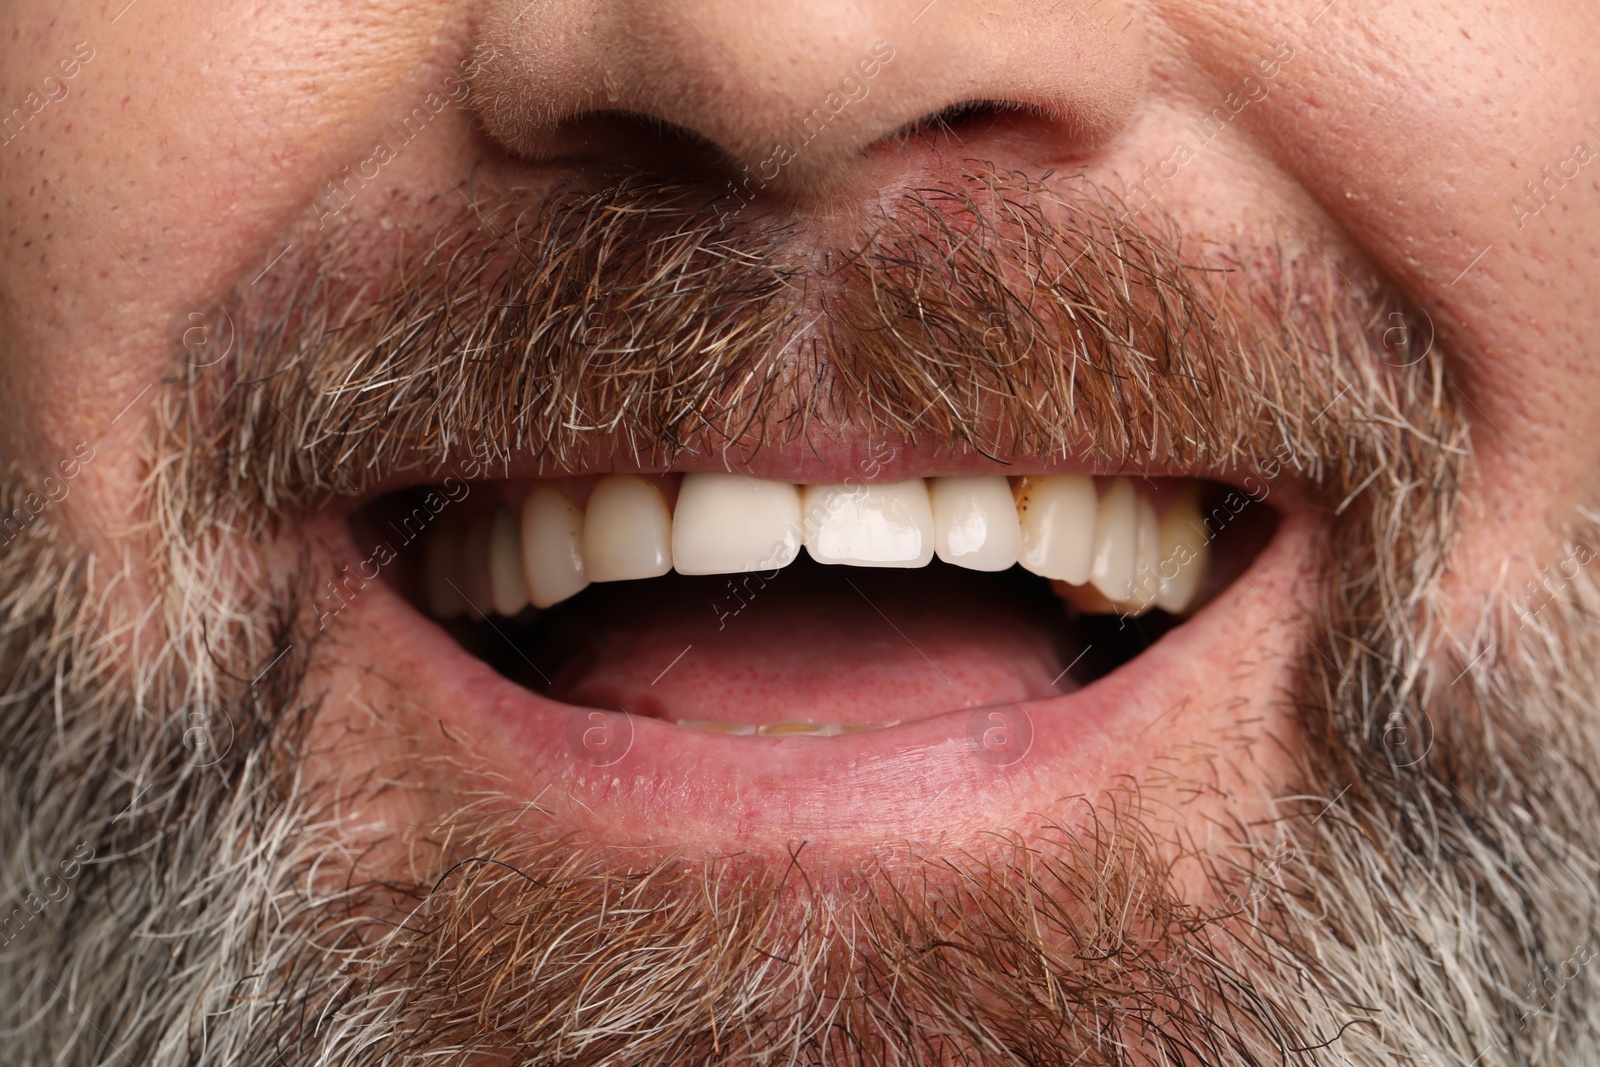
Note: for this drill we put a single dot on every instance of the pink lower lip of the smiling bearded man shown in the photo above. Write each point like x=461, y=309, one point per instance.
x=641, y=781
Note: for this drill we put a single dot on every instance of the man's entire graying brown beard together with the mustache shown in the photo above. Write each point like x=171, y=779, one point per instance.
x=1423, y=892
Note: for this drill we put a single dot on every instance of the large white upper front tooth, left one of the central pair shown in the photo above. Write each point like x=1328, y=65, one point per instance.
x=727, y=524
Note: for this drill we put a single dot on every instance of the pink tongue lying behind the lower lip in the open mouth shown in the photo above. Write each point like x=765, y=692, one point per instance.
x=809, y=644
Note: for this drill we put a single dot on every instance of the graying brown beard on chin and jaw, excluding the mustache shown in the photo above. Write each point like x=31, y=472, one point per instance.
x=1425, y=895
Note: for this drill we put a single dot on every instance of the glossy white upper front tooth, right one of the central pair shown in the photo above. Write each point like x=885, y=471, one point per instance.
x=870, y=526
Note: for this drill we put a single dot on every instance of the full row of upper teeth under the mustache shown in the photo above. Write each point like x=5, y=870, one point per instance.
x=1054, y=526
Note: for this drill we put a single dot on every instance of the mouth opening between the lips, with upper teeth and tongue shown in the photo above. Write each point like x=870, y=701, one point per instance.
x=740, y=607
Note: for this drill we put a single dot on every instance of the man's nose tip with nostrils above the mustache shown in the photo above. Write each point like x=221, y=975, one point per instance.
x=806, y=89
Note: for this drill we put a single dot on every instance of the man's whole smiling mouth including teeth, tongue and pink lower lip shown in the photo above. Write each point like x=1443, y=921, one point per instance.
x=732, y=660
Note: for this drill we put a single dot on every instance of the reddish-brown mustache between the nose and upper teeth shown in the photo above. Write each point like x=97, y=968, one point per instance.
x=990, y=314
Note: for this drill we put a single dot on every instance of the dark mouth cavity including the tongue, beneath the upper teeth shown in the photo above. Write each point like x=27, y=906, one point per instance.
x=810, y=649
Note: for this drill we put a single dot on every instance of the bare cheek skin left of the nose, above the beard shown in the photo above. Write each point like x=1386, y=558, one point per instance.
x=185, y=148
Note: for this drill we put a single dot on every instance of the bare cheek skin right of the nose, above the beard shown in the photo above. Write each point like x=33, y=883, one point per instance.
x=1414, y=134
